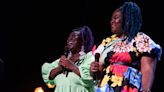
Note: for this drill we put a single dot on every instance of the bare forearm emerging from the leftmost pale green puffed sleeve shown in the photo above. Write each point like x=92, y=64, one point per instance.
x=54, y=72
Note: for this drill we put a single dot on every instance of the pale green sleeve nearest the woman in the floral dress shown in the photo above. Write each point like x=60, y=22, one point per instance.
x=84, y=69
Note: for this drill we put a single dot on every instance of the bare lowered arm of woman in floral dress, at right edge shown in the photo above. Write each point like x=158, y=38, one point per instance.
x=148, y=66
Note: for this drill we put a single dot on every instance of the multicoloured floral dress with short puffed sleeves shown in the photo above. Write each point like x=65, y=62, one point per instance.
x=121, y=60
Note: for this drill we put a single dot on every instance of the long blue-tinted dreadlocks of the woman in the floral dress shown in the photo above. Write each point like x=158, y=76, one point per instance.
x=132, y=19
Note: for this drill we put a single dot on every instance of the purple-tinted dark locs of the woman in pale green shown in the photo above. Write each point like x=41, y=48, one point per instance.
x=86, y=36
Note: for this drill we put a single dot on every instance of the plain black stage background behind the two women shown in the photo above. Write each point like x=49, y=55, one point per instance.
x=35, y=32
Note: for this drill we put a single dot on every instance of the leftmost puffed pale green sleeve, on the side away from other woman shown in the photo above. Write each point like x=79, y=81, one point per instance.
x=46, y=69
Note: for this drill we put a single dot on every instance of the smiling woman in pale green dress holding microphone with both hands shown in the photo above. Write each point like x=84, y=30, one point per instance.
x=71, y=72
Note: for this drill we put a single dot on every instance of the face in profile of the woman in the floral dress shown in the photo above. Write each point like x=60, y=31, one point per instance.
x=116, y=22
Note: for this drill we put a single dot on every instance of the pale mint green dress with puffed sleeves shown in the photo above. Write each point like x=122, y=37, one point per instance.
x=73, y=82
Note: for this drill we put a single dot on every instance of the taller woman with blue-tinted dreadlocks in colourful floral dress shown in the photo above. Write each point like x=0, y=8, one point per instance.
x=128, y=58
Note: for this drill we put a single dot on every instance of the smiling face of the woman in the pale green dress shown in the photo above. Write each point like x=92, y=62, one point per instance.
x=74, y=42
